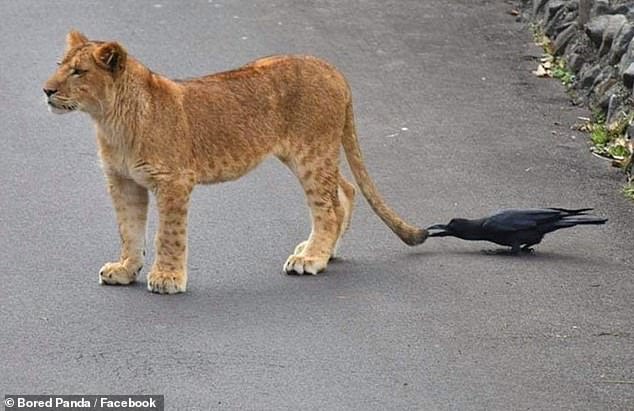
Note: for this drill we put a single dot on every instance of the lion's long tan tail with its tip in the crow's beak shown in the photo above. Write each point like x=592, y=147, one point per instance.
x=409, y=234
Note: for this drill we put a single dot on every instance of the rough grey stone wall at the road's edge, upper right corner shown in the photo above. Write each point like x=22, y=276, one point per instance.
x=596, y=39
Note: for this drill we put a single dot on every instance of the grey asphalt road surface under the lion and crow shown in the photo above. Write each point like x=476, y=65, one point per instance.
x=452, y=123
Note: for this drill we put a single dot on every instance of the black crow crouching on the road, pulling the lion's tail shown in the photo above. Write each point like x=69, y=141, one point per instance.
x=517, y=228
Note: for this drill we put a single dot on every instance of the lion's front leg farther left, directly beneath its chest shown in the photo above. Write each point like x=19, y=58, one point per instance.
x=130, y=201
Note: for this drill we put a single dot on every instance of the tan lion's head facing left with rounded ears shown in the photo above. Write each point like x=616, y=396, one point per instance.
x=85, y=76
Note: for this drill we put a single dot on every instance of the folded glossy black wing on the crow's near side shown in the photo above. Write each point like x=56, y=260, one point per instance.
x=516, y=219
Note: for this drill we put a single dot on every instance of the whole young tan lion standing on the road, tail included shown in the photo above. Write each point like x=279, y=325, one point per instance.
x=165, y=136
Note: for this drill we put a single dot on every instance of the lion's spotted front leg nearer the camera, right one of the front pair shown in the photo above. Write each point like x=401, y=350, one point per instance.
x=169, y=272
